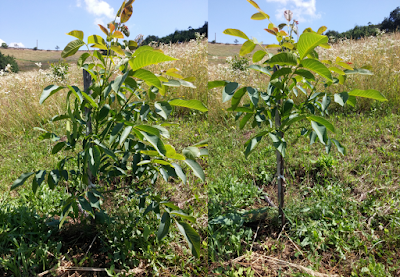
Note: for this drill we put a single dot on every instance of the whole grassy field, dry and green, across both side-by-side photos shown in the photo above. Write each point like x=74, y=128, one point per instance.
x=343, y=211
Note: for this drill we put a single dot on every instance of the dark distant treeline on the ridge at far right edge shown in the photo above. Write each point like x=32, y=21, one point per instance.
x=389, y=24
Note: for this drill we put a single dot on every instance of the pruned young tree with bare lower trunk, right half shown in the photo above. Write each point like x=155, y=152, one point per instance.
x=295, y=69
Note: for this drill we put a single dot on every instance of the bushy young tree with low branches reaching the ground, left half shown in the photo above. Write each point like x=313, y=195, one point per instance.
x=114, y=129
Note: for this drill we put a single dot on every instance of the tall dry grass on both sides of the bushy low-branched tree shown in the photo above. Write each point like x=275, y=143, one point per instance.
x=19, y=93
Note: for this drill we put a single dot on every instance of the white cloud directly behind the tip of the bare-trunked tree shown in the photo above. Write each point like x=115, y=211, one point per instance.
x=303, y=10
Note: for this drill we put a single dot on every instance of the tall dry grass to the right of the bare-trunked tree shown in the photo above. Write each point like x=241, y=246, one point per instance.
x=382, y=53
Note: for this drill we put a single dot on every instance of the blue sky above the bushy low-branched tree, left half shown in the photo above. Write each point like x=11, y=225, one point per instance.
x=48, y=21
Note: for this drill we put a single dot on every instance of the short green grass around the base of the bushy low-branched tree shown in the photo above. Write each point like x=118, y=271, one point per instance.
x=122, y=241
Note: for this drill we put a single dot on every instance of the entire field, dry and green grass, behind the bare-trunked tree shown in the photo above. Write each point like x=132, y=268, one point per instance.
x=343, y=211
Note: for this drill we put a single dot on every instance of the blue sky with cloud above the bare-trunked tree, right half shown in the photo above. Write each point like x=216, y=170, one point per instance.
x=338, y=15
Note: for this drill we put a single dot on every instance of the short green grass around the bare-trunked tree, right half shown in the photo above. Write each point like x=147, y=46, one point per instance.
x=342, y=211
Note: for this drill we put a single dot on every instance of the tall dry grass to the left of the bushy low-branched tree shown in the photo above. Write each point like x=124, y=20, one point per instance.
x=19, y=99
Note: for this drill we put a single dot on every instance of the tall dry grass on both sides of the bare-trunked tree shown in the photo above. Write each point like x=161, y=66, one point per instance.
x=381, y=53
